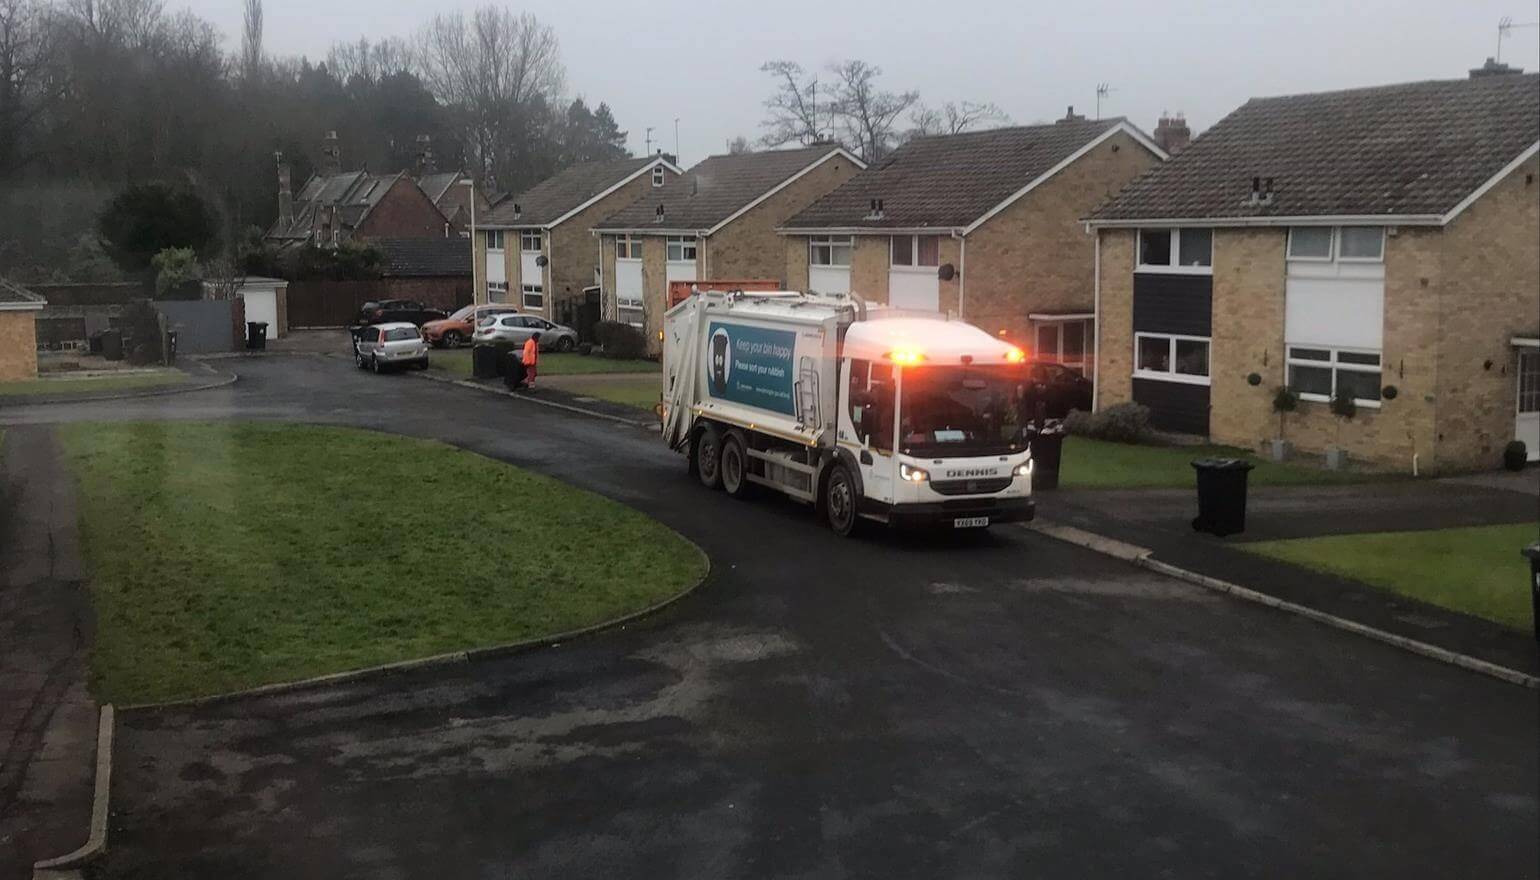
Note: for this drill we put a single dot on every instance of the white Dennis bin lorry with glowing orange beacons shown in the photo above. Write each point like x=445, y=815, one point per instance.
x=866, y=414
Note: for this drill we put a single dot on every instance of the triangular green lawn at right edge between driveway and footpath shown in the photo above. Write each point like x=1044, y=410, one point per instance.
x=1476, y=571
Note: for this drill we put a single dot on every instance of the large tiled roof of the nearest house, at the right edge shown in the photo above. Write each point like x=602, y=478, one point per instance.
x=1405, y=150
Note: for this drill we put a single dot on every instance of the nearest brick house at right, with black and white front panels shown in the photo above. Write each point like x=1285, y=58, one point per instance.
x=1379, y=243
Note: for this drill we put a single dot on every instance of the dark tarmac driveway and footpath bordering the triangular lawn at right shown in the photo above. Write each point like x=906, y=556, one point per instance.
x=1162, y=522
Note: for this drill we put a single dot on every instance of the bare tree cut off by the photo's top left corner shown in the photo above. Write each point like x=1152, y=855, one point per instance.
x=28, y=79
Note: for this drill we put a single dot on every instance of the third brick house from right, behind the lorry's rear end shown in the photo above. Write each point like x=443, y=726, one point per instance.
x=718, y=221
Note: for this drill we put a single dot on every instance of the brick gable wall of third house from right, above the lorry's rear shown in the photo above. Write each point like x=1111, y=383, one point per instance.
x=749, y=247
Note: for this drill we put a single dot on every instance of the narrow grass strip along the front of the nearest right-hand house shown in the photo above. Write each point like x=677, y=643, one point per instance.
x=1102, y=465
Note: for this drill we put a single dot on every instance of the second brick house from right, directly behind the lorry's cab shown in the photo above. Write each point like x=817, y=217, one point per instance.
x=985, y=226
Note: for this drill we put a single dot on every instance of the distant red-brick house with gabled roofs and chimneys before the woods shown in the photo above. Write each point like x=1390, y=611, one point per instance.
x=336, y=206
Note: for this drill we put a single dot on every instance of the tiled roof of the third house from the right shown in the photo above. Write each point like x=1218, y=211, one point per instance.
x=715, y=189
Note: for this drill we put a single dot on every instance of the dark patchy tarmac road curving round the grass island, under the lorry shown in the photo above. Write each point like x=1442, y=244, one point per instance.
x=977, y=705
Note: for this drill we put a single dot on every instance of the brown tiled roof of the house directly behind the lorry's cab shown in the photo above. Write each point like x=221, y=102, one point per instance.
x=951, y=181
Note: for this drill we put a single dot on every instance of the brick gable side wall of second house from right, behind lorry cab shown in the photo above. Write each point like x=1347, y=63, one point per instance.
x=1036, y=255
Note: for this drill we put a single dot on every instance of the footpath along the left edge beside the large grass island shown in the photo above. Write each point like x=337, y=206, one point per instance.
x=47, y=716
